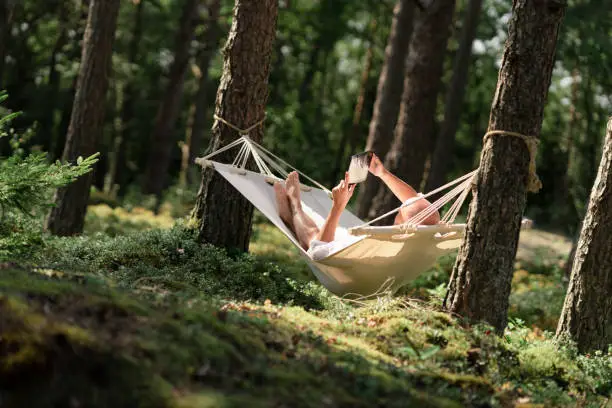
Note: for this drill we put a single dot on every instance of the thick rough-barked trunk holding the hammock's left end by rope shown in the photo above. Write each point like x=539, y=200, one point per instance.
x=222, y=215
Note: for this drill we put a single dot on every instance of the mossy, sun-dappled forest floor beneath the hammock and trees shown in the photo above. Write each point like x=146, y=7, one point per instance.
x=136, y=313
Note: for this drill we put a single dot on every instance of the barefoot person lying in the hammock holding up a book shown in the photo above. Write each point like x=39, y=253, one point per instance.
x=320, y=242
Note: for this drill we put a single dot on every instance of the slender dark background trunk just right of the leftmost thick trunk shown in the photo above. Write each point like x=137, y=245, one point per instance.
x=128, y=97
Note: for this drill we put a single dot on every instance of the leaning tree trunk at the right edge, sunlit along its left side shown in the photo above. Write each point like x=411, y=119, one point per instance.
x=587, y=313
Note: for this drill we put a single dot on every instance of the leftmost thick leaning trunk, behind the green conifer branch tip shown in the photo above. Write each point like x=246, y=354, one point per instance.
x=86, y=123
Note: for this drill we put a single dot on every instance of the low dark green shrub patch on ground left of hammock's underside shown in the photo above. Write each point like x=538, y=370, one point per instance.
x=159, y=261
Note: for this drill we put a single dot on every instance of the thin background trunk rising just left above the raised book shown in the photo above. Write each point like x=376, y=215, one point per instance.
x=350, y=138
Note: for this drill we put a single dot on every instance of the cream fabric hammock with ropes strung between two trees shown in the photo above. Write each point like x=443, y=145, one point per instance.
x=374, y=257
